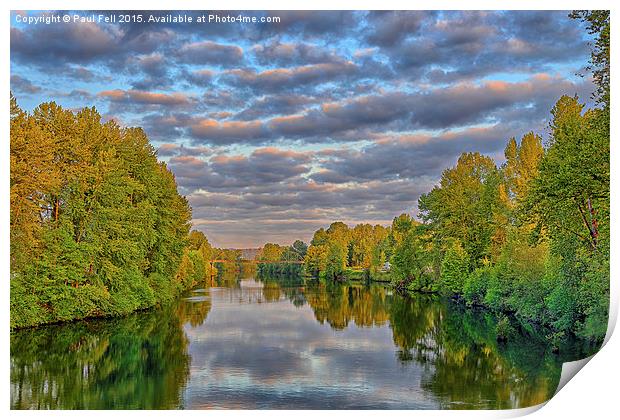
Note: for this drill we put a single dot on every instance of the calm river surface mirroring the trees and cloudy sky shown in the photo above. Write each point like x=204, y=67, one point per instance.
x=283, y=344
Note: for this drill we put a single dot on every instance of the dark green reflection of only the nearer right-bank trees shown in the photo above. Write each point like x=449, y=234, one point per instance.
x=469, y=368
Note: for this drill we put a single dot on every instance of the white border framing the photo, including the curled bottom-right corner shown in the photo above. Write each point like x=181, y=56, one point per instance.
x=592, y=394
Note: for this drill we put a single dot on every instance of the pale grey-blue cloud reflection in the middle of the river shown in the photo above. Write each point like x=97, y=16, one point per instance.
x=277, y=355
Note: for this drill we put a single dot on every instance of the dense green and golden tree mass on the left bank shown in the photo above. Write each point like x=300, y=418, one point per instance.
x=97, y=225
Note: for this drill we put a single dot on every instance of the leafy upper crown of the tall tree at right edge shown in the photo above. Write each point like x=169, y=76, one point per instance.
x=571, y=195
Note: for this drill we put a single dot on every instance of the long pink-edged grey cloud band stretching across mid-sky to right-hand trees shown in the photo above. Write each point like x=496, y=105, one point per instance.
x=360, y=117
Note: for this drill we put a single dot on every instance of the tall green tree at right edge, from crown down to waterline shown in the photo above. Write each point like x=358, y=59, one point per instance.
x=569, y=203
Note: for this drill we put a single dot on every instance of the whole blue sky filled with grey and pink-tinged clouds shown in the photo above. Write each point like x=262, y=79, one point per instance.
x=274, y=130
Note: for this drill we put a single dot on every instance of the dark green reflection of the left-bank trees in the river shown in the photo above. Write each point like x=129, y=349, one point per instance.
x=139, y=361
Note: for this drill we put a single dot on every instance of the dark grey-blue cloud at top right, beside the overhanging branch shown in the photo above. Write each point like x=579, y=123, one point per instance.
x=466, y=45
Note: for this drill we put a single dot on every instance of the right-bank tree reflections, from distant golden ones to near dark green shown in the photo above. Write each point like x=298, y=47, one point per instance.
x=465, y=367
